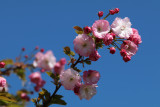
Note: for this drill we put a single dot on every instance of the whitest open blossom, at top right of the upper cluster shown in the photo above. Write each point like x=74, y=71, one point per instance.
x=122, y=27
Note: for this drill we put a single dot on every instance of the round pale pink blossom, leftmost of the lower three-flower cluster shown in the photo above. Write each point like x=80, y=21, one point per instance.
x=70, y=78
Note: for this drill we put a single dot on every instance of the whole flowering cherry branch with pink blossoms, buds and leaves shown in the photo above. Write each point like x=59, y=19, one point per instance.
x=118, y=35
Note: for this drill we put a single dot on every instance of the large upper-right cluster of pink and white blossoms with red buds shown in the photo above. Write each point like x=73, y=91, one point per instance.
x=102, y=34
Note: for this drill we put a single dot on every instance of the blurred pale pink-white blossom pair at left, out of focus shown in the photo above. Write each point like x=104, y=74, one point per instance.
x=45, y=61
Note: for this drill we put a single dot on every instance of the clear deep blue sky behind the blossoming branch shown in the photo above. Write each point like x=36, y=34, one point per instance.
x=49, y=24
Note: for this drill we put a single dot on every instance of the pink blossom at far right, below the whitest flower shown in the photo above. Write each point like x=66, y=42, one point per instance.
x=130, y=47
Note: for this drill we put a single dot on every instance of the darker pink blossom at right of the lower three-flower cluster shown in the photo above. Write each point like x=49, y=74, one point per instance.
x=91, y=77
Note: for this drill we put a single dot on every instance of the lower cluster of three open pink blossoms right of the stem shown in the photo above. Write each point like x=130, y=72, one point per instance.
x=71, y=80
